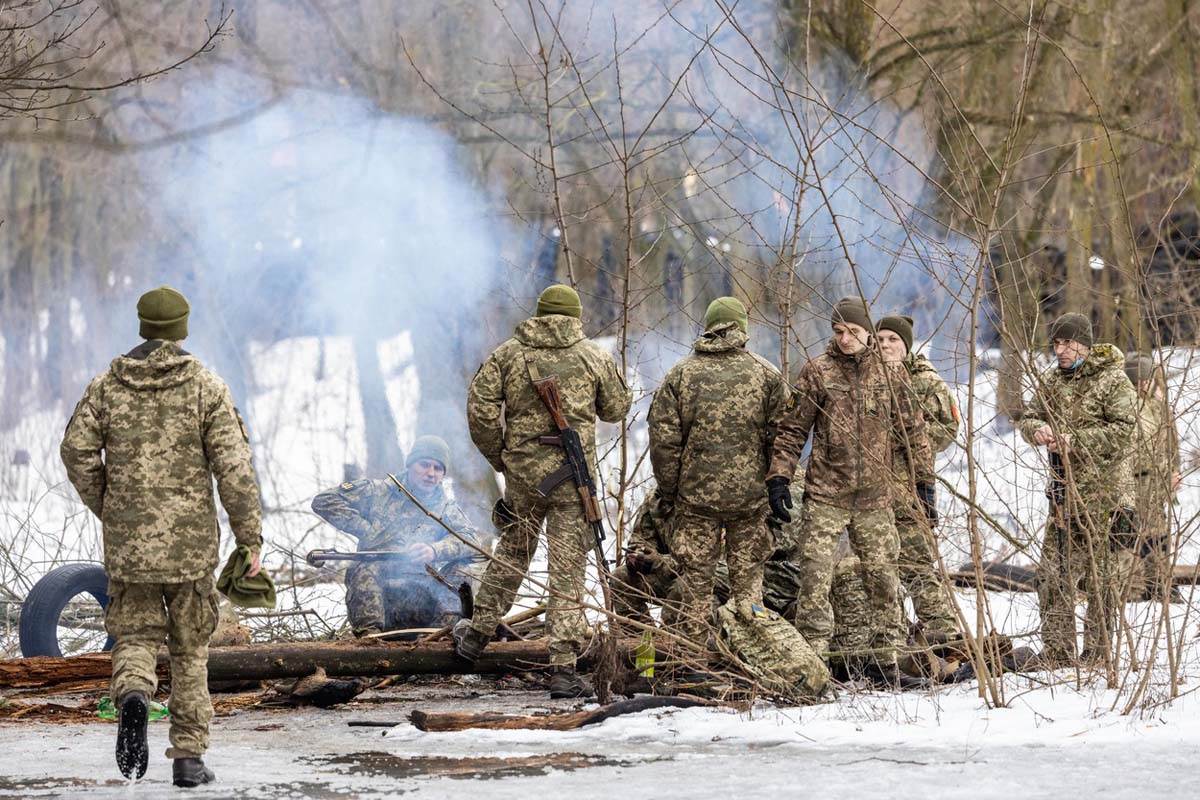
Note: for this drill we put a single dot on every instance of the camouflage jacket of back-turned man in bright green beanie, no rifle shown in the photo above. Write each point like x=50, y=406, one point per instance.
x=711, y=425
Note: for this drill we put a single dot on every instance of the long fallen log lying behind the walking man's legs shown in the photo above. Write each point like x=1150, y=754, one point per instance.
x=301, y=659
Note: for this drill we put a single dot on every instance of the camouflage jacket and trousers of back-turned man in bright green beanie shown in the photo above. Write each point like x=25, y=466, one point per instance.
x=711, y=425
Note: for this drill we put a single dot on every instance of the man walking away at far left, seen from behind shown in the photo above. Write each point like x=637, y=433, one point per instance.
x=142, y=449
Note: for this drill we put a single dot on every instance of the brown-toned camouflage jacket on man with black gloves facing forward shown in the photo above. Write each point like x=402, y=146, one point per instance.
x=859, y=413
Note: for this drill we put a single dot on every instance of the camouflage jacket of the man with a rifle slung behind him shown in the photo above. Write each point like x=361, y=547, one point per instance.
x=506, y=416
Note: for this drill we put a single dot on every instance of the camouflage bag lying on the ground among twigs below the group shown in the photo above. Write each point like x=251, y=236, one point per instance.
x=772, y=651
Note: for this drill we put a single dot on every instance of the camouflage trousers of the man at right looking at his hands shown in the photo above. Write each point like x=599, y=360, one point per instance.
x=1073, y=557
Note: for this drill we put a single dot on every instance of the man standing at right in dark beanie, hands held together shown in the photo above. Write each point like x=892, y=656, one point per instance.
x=1084, y=412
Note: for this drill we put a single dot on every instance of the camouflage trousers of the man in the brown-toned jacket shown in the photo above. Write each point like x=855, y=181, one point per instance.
x=874, y=540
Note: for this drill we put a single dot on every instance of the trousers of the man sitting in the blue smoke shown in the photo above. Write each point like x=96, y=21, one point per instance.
x=380, y=597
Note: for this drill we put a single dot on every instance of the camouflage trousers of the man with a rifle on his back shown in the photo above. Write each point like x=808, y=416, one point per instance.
x=568, y=540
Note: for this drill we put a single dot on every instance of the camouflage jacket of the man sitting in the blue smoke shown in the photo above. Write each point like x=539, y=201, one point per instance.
x=383, y=519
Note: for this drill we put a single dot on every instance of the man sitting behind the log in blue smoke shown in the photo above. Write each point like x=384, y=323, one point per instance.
x=389, y=596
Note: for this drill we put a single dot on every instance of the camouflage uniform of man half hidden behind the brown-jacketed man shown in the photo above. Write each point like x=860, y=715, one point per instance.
x=920, y=576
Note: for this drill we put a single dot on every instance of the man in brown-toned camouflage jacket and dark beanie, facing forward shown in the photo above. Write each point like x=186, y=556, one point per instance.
x=859, y=413
